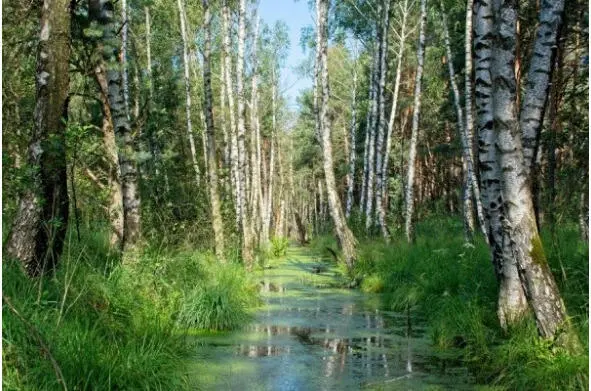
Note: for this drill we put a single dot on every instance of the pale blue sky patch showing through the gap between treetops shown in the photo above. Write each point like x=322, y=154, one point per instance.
x=296, y=15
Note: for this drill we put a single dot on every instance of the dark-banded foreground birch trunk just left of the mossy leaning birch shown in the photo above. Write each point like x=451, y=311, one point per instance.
x=512, y=303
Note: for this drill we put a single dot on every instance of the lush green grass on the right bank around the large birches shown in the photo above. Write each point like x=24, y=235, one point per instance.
x=453, y=285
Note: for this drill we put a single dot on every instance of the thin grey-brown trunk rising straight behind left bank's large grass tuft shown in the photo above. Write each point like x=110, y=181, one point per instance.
x=216, y=214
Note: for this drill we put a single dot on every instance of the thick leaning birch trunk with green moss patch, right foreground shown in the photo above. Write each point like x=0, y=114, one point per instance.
x=519, y=217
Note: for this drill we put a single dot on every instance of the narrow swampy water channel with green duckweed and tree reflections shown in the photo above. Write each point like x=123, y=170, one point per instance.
x=312, y=335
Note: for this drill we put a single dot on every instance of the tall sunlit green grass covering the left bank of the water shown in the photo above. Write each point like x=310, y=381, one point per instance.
x=109, y=326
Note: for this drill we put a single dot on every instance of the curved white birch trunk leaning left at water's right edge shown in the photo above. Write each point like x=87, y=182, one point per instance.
x=347, y=240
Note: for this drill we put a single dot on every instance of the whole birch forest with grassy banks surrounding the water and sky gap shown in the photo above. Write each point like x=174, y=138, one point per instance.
x=152, y=164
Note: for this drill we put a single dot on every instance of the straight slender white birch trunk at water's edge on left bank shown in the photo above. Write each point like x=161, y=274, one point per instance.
x=247, y=245
